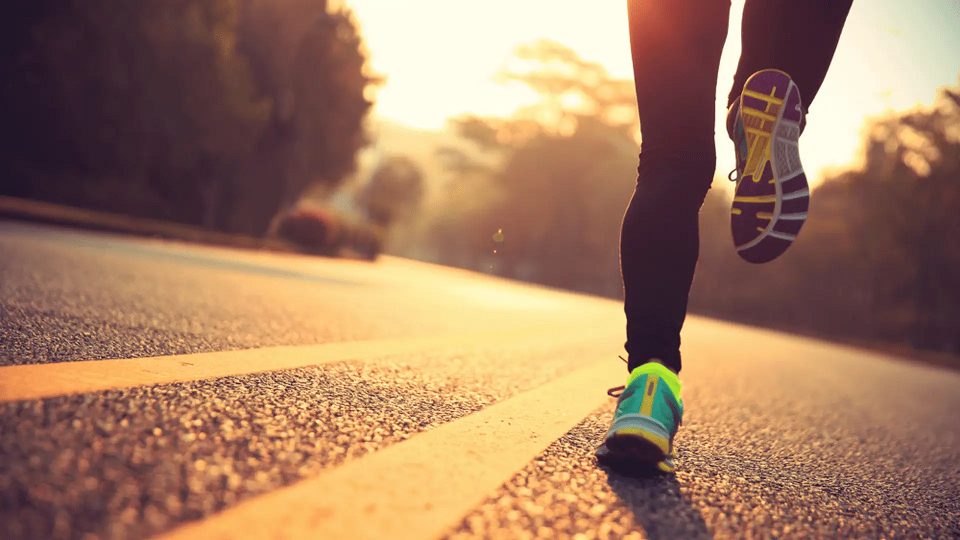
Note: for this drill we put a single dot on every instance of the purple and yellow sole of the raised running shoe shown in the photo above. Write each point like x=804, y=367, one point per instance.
x=772, y=196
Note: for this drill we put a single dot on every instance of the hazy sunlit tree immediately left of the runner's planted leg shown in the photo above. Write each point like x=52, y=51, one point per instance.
x=551, y=207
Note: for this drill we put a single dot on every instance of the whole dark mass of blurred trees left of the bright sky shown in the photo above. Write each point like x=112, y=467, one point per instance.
x=217, y=113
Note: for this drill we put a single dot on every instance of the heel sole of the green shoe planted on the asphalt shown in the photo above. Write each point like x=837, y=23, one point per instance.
x=638, y=439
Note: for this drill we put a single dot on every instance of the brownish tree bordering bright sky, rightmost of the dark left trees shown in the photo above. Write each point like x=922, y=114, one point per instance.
x=309, y=63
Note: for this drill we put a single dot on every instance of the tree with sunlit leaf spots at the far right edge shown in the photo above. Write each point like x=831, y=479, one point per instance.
x=909, y=192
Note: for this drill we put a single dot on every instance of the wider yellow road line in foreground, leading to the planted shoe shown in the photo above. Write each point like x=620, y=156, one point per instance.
x=421, y=487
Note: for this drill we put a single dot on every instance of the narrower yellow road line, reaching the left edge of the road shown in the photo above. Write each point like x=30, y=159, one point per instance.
x=36, y=381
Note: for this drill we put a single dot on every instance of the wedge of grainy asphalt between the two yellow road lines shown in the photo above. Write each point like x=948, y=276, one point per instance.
x=128, y=464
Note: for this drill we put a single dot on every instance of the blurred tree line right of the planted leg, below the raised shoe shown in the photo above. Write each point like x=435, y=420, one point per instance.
x=879, y=257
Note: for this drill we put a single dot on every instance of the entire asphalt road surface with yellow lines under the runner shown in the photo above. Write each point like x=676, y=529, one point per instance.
x=161, y=390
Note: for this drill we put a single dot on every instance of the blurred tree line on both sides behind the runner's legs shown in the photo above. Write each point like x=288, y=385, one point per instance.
x=879, y=257
